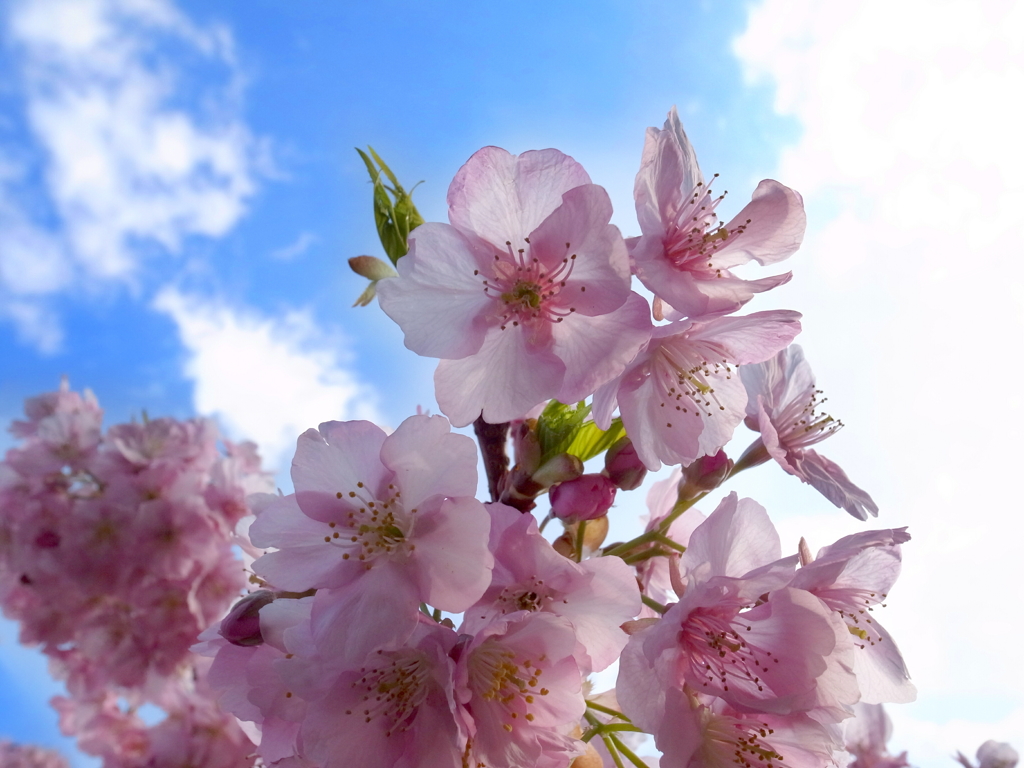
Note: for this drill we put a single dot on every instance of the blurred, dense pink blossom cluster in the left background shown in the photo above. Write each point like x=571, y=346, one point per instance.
x=116, y=551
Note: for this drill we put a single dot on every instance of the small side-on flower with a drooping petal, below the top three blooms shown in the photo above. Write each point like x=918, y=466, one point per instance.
x=783, y=406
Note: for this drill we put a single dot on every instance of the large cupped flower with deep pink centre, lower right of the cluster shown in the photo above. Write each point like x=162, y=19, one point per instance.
x=739, y=632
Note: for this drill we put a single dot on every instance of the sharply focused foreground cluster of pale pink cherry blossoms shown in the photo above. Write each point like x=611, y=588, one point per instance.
x=402, y=622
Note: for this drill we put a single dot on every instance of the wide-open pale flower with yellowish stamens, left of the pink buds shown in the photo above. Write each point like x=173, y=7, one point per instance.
x=377, y=518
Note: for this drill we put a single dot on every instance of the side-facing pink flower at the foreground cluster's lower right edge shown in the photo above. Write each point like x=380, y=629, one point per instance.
x=852, y=577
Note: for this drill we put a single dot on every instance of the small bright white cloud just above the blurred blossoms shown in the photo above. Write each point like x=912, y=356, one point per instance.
x=267, y=379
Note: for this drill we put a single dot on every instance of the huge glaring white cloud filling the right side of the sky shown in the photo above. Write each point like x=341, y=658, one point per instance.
x=914, y=313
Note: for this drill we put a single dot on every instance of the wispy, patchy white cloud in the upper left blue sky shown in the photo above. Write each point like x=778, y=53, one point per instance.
x=136, y=149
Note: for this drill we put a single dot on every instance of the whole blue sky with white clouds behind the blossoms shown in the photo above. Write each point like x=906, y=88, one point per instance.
x=180, y=195
